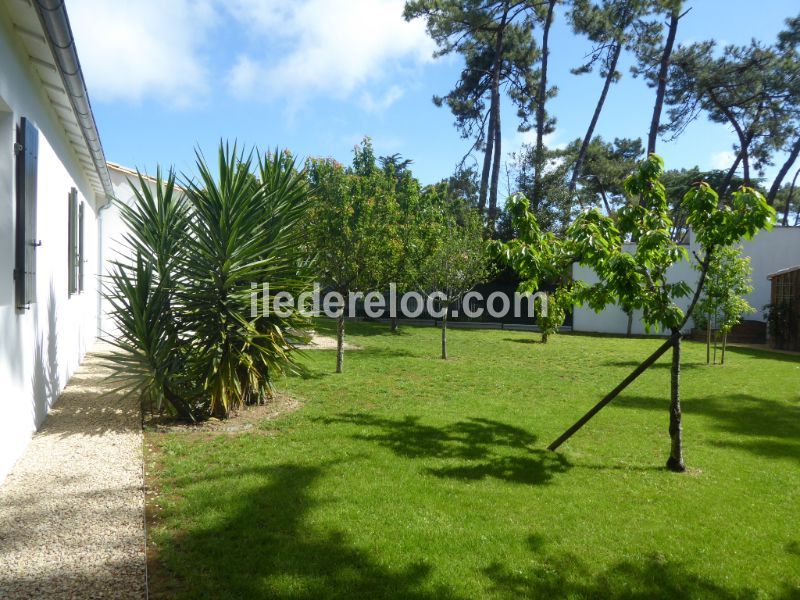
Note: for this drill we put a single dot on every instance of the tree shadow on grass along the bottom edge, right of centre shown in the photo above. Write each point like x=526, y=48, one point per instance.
x=566, y=575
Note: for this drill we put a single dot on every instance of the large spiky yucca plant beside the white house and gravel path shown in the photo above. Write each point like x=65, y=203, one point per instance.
x=183, y=310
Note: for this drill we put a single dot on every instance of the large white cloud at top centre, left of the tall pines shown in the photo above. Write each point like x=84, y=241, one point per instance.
x=327, y=47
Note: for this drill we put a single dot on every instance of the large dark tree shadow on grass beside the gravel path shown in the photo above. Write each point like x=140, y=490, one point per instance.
x=262, y=546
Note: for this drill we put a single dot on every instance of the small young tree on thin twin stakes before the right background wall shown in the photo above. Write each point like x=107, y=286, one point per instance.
x=727, y=281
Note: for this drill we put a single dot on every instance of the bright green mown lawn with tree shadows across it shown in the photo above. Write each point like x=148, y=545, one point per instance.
x=412, y=477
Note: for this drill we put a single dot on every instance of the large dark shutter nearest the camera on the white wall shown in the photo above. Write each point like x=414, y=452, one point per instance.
x=26, y=240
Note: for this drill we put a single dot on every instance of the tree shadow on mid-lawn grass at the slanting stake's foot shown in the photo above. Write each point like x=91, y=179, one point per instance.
x=473, y=449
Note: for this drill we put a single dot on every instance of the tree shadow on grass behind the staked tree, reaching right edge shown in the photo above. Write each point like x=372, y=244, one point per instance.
x=770, y=428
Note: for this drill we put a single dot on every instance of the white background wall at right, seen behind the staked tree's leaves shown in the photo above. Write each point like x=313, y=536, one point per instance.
x=769, y=251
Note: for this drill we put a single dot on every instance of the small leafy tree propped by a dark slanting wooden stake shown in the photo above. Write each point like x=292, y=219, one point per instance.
x=639, y=279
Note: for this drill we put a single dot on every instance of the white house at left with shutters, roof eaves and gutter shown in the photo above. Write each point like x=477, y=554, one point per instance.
x=54, y=183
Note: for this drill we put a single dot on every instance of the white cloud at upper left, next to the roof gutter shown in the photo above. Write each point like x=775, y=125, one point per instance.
x=143, y=49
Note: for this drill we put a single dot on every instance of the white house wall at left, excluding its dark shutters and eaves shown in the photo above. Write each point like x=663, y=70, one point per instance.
x=40, y=347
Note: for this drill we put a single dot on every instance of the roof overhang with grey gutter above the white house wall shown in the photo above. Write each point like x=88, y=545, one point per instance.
x=44, y=29
